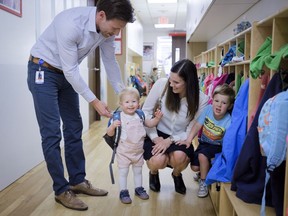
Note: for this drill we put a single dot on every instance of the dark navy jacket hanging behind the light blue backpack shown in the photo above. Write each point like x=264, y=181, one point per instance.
x=249, y=174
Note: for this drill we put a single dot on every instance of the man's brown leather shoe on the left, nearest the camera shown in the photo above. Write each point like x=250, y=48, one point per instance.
x=69, y=200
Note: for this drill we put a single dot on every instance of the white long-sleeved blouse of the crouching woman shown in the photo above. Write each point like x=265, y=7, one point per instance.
x=174, y=124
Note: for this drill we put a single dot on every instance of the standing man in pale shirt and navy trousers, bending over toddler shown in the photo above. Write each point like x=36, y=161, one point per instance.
x=55, y=82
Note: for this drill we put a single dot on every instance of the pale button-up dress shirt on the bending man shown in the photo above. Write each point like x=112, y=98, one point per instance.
x=69, y=39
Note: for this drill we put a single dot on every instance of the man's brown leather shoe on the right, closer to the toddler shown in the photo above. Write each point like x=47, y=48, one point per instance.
x=87, y=188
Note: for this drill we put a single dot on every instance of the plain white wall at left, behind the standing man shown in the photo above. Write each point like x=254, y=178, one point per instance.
x=19, y=133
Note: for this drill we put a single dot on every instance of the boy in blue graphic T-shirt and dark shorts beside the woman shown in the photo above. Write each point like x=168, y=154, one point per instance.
x=214, y=120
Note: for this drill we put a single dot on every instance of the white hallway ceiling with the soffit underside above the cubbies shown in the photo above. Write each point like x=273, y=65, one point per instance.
x=219, y=15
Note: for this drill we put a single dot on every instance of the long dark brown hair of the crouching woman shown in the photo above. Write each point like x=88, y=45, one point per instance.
x=188, y=72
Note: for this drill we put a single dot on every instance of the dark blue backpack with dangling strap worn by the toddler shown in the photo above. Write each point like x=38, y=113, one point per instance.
x=113, y=141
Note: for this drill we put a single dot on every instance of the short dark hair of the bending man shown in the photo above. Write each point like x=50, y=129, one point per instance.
x=117, y=9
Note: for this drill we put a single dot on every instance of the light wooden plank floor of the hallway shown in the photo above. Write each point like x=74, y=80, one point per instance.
x=32, y=194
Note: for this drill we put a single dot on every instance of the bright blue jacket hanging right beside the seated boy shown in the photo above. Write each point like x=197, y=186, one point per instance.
x=223, y=165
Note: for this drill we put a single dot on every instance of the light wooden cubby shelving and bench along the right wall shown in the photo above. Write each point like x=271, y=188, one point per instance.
x=223, y=199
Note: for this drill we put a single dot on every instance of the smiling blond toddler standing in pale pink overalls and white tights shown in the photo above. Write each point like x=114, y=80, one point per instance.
x=130, y=147
